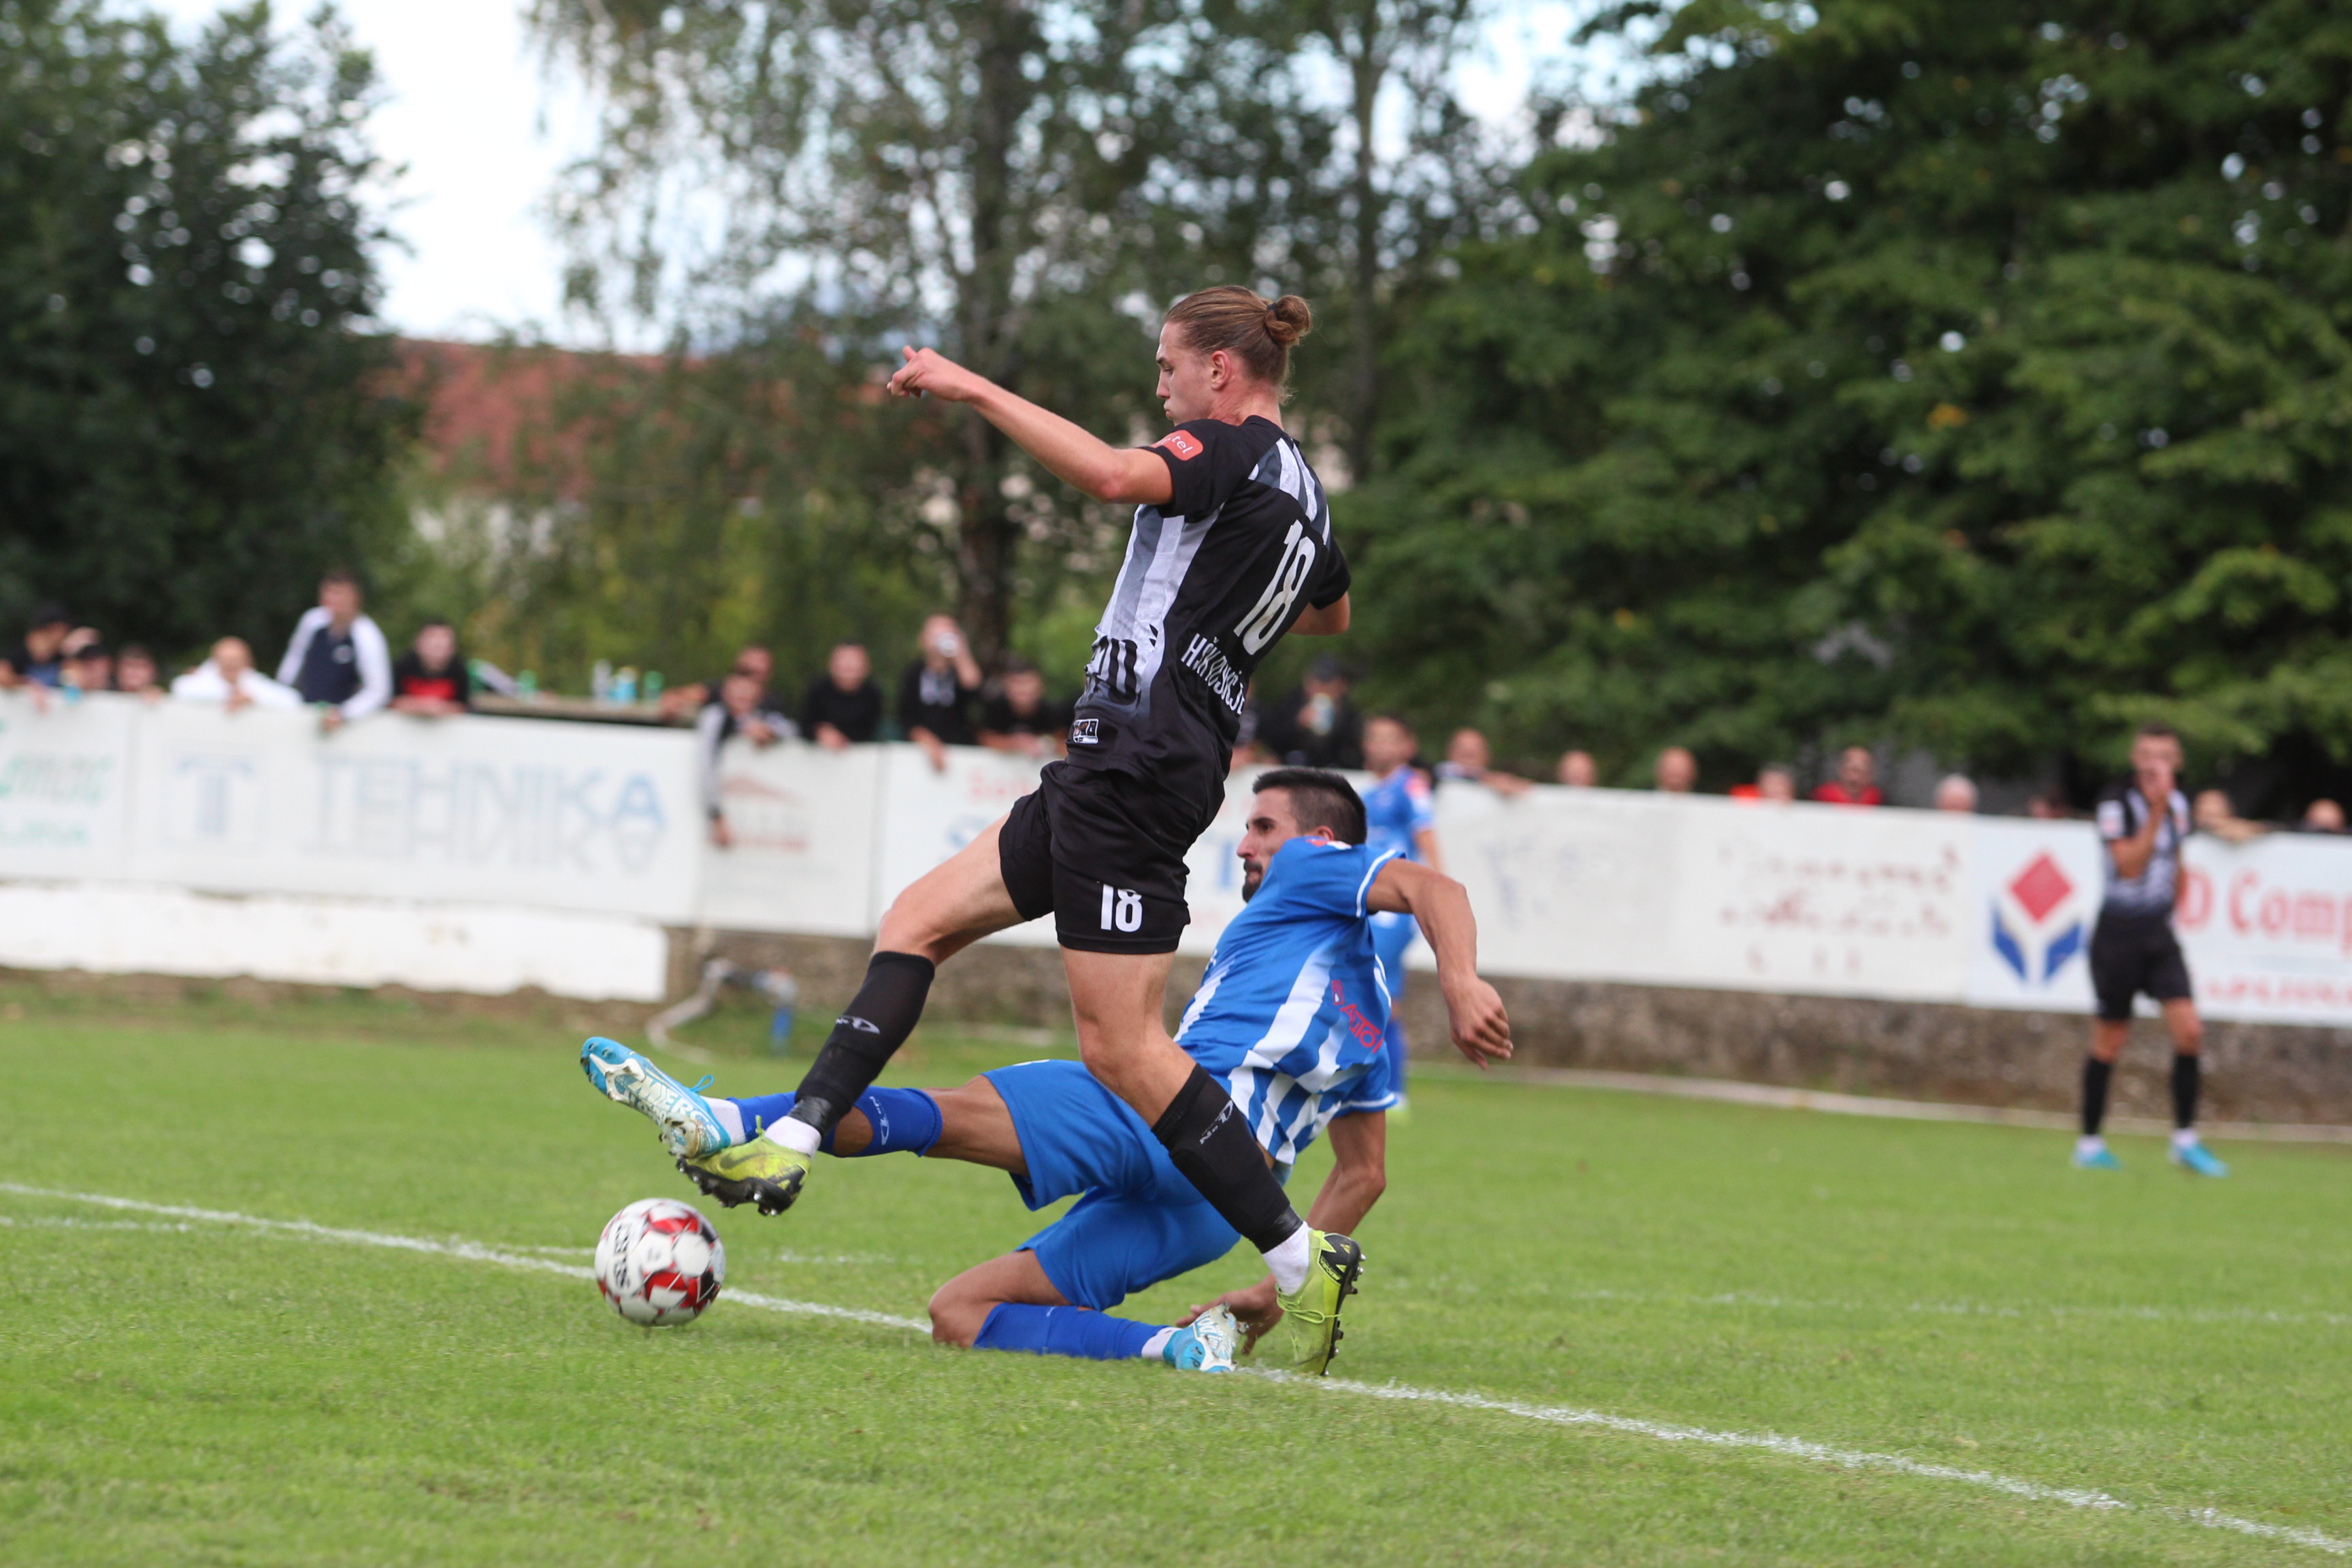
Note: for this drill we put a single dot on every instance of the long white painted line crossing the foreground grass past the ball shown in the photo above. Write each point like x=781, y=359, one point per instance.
x=1558, y=1416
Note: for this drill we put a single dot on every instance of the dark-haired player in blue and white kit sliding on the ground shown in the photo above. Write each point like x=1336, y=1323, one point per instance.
x=1292, y=1024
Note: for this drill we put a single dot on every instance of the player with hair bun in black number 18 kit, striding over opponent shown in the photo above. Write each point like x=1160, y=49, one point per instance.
x=1231, y=549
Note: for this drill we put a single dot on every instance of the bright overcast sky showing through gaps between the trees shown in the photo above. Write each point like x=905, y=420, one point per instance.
x=483, y=133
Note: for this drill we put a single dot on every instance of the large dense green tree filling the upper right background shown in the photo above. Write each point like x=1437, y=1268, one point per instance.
x=1965, y=375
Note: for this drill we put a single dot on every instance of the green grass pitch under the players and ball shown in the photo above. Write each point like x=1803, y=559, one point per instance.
x=1953, y=1296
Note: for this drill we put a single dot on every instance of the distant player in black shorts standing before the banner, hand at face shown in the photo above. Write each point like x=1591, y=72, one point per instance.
x=2141, y=824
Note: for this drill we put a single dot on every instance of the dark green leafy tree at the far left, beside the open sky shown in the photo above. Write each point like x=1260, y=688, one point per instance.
x=194, y=415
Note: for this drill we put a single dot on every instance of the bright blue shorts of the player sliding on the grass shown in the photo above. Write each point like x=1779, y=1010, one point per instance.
x=1140, y=1219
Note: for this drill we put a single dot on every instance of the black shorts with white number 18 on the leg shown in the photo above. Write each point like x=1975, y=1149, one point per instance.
x=1104, y=855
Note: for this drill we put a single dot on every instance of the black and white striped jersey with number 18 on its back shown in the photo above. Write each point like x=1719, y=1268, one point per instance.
x=1210, y=584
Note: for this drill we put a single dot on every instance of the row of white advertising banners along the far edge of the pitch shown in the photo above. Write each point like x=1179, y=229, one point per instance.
x=495, y=855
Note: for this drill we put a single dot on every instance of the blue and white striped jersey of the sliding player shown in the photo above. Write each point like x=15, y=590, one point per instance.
x=1295, y=1007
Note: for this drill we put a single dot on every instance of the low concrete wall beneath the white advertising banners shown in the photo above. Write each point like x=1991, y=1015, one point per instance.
x=1906, y=1050
